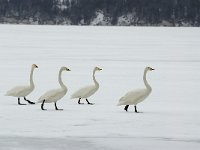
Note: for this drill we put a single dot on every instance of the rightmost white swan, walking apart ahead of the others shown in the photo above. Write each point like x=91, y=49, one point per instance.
x=137, y=96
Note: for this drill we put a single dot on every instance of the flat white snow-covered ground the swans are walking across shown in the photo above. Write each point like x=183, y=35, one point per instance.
x=170, y=115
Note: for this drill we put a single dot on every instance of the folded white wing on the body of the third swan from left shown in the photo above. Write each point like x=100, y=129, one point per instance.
x=84, y=92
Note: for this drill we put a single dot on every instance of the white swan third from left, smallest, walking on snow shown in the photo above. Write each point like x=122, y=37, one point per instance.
x=87, y=91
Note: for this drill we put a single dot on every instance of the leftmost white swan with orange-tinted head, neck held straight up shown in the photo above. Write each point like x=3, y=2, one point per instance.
x=23, y=91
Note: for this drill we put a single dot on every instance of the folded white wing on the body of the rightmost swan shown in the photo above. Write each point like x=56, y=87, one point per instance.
x=132, y=97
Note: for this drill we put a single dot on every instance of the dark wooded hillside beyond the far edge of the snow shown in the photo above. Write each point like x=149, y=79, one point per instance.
x=144, y=12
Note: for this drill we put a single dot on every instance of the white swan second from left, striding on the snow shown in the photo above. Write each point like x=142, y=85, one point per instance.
x=55, y=94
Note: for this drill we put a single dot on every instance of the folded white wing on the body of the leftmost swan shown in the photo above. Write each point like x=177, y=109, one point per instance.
x=18, y=91
